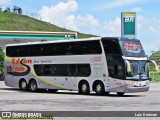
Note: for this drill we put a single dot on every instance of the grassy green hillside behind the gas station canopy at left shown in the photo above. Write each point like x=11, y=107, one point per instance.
x=15, y=22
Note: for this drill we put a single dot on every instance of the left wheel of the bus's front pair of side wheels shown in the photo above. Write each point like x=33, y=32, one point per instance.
x=84, y=88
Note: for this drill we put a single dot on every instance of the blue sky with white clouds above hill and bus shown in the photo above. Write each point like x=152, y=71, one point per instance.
x=97, y=17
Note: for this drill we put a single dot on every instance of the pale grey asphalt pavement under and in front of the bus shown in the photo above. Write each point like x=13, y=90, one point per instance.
x=12, y=99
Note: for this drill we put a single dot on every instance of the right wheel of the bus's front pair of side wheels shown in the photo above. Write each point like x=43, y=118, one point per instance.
x=99, y=88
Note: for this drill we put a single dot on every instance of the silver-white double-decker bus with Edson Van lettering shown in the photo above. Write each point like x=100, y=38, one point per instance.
x=103, y=65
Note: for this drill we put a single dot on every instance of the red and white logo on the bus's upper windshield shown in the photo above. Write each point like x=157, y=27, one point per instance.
x=132, y=47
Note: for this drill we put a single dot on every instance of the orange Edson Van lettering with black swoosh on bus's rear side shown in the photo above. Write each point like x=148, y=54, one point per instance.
x=20, y=70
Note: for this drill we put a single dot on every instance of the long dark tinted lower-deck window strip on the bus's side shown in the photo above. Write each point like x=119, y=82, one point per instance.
x=63, y=70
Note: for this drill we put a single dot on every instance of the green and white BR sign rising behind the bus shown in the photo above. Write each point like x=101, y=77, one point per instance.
x=128, y=24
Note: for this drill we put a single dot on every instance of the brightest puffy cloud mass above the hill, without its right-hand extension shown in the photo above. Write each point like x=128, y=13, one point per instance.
x=58, y=13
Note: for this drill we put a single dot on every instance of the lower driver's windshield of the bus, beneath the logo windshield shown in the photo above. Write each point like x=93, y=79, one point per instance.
x=138, y=70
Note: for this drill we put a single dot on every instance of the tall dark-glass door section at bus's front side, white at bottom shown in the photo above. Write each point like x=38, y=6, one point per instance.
x=115, y=63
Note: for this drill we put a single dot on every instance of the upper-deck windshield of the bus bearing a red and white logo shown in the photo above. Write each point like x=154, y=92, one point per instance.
x=132, y=48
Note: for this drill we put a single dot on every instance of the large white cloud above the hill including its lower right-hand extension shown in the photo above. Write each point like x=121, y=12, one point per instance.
x=62, y=15
